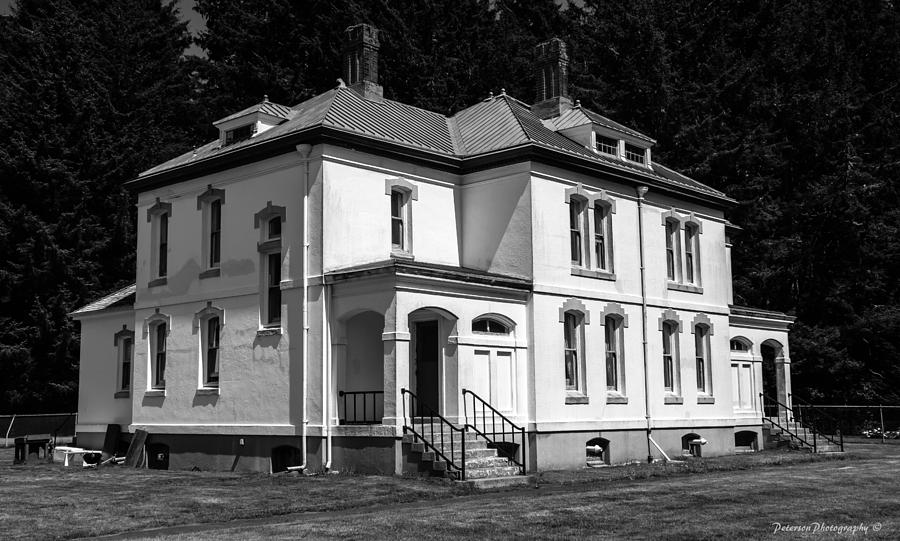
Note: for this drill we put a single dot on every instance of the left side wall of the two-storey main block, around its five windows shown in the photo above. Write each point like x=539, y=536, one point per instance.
x=260, y=388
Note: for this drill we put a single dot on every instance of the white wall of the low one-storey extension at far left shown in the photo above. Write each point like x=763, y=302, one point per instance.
x=98, y=376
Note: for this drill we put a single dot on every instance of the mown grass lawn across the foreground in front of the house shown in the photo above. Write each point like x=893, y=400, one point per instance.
x=727, y=497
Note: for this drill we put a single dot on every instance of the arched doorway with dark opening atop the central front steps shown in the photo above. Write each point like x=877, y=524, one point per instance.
x=429, y=329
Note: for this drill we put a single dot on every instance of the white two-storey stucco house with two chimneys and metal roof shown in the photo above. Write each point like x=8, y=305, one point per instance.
x=323, y=277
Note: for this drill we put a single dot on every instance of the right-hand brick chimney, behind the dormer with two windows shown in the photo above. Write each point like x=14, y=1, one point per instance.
x=551, y=70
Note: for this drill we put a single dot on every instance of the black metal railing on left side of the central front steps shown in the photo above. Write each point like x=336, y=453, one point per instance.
x=446, y=436
